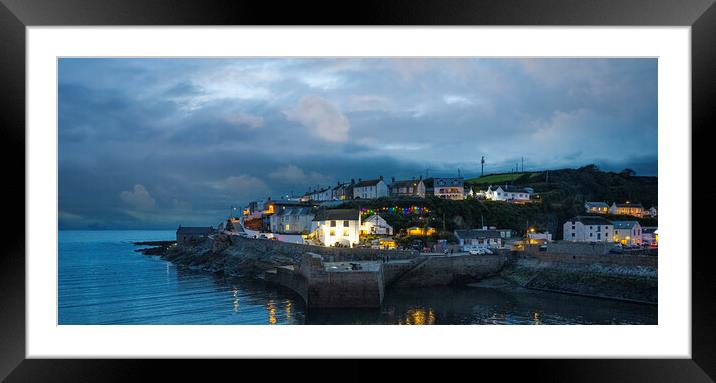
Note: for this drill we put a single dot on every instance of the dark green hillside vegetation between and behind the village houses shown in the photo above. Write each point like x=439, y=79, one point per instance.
x=561, y=195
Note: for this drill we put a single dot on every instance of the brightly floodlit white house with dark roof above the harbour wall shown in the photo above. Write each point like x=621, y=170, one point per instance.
x=337, y=227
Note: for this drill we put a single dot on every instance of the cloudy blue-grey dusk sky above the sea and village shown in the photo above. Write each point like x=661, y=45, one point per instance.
x=151, y=143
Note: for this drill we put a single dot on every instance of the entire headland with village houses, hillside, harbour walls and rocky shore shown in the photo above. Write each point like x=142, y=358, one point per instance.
x=344, y=245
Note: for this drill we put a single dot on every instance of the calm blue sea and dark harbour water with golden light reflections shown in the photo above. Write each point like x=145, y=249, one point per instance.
x=102, y=280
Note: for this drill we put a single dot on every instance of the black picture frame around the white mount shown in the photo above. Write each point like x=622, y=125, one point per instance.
x=15, y=15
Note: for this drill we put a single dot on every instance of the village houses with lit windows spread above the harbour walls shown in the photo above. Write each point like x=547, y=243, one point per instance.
x=359, y=213
